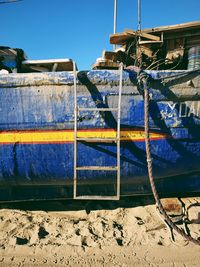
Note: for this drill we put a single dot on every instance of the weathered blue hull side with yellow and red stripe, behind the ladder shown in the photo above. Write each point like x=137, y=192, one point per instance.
x=36, y=134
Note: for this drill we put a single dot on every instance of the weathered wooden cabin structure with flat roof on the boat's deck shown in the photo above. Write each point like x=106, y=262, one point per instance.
x=170, y=47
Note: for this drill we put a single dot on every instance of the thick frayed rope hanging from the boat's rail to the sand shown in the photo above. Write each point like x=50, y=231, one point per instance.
x=143, y=79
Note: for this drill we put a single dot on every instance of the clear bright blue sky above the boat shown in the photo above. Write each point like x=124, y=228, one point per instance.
x=80, y=29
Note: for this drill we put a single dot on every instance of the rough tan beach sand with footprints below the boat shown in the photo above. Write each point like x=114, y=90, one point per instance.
x=73, y=233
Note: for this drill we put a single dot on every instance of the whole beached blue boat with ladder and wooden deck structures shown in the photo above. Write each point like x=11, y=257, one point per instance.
x=66, y=133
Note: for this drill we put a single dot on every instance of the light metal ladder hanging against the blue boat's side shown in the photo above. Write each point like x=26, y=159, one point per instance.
x=116, y=140
